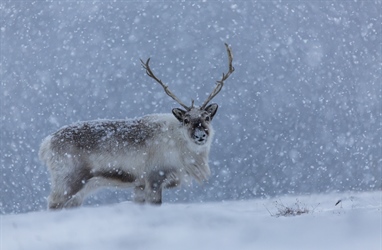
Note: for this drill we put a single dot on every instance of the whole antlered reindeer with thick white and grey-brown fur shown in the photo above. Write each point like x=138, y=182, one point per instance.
x=148, y=154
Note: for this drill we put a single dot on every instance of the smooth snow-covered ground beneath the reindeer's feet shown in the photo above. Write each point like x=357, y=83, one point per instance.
x=354, y=223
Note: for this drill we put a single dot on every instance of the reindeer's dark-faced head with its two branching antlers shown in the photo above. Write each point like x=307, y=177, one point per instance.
x=196, y=119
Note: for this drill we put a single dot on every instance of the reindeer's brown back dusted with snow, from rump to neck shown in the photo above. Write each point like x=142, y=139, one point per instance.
x=109, y=136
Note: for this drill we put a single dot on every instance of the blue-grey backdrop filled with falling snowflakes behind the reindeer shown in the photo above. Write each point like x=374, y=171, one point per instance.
x=301, y=113
